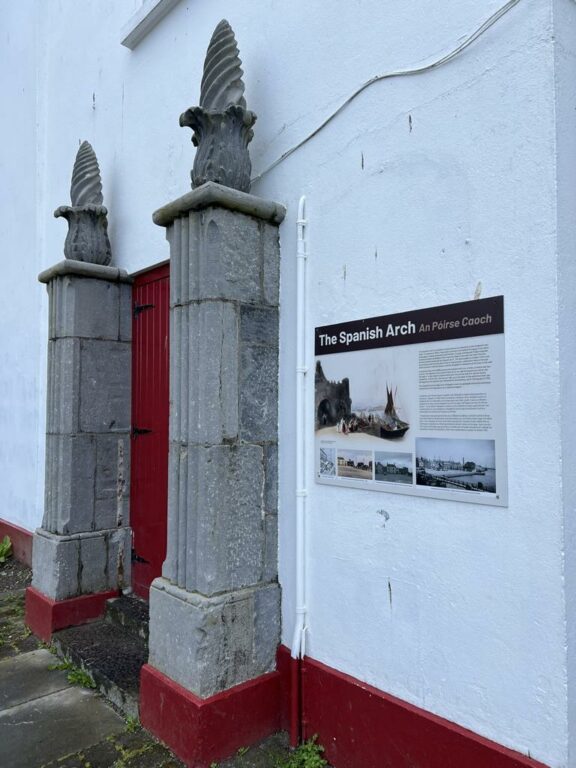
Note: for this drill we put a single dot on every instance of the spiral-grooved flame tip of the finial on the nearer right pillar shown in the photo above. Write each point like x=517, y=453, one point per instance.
x=222, y=83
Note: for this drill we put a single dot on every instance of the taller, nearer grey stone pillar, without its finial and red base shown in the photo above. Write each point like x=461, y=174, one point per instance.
x=215, y=613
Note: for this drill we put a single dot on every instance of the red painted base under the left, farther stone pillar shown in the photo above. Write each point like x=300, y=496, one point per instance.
x=45, y=616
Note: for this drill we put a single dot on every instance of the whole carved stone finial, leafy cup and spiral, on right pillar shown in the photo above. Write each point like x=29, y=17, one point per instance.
x=222, y=125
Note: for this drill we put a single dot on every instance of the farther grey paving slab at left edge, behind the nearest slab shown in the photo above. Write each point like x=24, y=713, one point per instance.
x=28, y=677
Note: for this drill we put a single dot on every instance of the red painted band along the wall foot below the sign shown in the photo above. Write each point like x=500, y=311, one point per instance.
x=362, y=727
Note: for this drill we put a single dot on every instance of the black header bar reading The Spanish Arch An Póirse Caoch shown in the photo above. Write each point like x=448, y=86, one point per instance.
x=480, y=317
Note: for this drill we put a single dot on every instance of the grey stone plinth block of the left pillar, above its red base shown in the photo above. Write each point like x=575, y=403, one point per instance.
x=83, y=563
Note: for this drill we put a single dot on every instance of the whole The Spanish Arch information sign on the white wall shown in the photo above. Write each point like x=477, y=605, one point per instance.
x=415, y=403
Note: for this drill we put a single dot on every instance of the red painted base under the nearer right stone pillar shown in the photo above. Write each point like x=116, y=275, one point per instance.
x=203, y=731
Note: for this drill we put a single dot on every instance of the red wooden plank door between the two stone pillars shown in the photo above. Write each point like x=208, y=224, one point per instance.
x=150, y=407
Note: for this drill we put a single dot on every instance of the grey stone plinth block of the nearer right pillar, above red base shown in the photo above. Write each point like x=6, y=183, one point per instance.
x=213, y=643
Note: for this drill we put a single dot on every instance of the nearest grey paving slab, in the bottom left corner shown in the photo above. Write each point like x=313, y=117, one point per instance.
x=33, y=733
